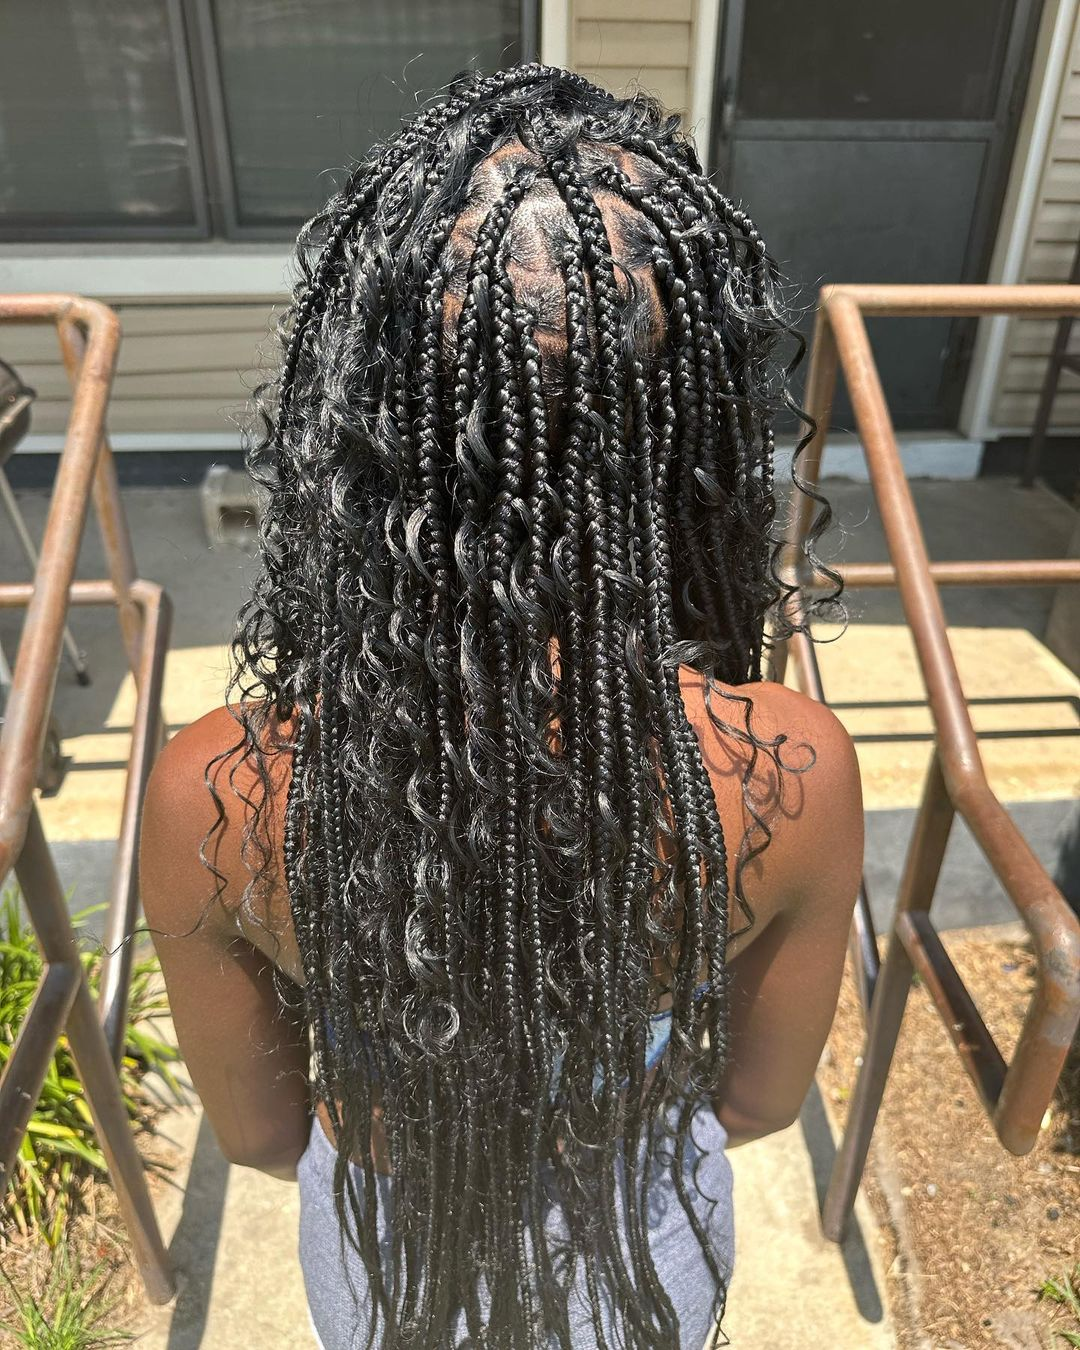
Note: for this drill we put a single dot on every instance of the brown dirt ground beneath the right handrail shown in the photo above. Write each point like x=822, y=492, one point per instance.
x=986, y=1229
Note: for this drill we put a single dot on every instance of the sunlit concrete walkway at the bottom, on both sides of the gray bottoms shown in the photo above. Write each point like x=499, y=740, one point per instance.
x=233, y=1236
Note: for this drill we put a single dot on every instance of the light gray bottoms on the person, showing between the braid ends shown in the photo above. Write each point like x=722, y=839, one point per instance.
x=337, y=1285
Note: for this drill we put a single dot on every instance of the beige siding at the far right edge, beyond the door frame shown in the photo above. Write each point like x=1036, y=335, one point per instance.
x=1048, y=259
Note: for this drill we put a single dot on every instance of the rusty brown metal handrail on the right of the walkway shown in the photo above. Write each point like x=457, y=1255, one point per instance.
x=1015, y=1096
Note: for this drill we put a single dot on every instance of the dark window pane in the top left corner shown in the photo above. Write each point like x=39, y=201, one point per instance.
x=92, y=133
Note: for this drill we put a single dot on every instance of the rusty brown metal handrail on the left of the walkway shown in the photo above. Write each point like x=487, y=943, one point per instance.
x=90, y=337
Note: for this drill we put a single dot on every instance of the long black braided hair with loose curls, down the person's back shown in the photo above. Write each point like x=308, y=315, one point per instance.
x=519, y=470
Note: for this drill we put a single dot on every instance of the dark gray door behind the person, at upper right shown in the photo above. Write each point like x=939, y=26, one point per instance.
x=870, y=141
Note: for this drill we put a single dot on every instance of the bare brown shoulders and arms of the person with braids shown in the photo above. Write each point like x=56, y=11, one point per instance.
x=248, y=1055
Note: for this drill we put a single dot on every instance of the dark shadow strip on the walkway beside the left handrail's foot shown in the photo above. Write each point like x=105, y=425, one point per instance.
x=194, y=1249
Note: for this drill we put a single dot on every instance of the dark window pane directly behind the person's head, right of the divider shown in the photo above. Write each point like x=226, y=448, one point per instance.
x=310, y=86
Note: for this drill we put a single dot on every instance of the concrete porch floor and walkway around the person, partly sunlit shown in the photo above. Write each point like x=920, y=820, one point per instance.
x=234, y=1232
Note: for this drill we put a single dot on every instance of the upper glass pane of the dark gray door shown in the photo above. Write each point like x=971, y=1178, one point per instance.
x=869, y=60
